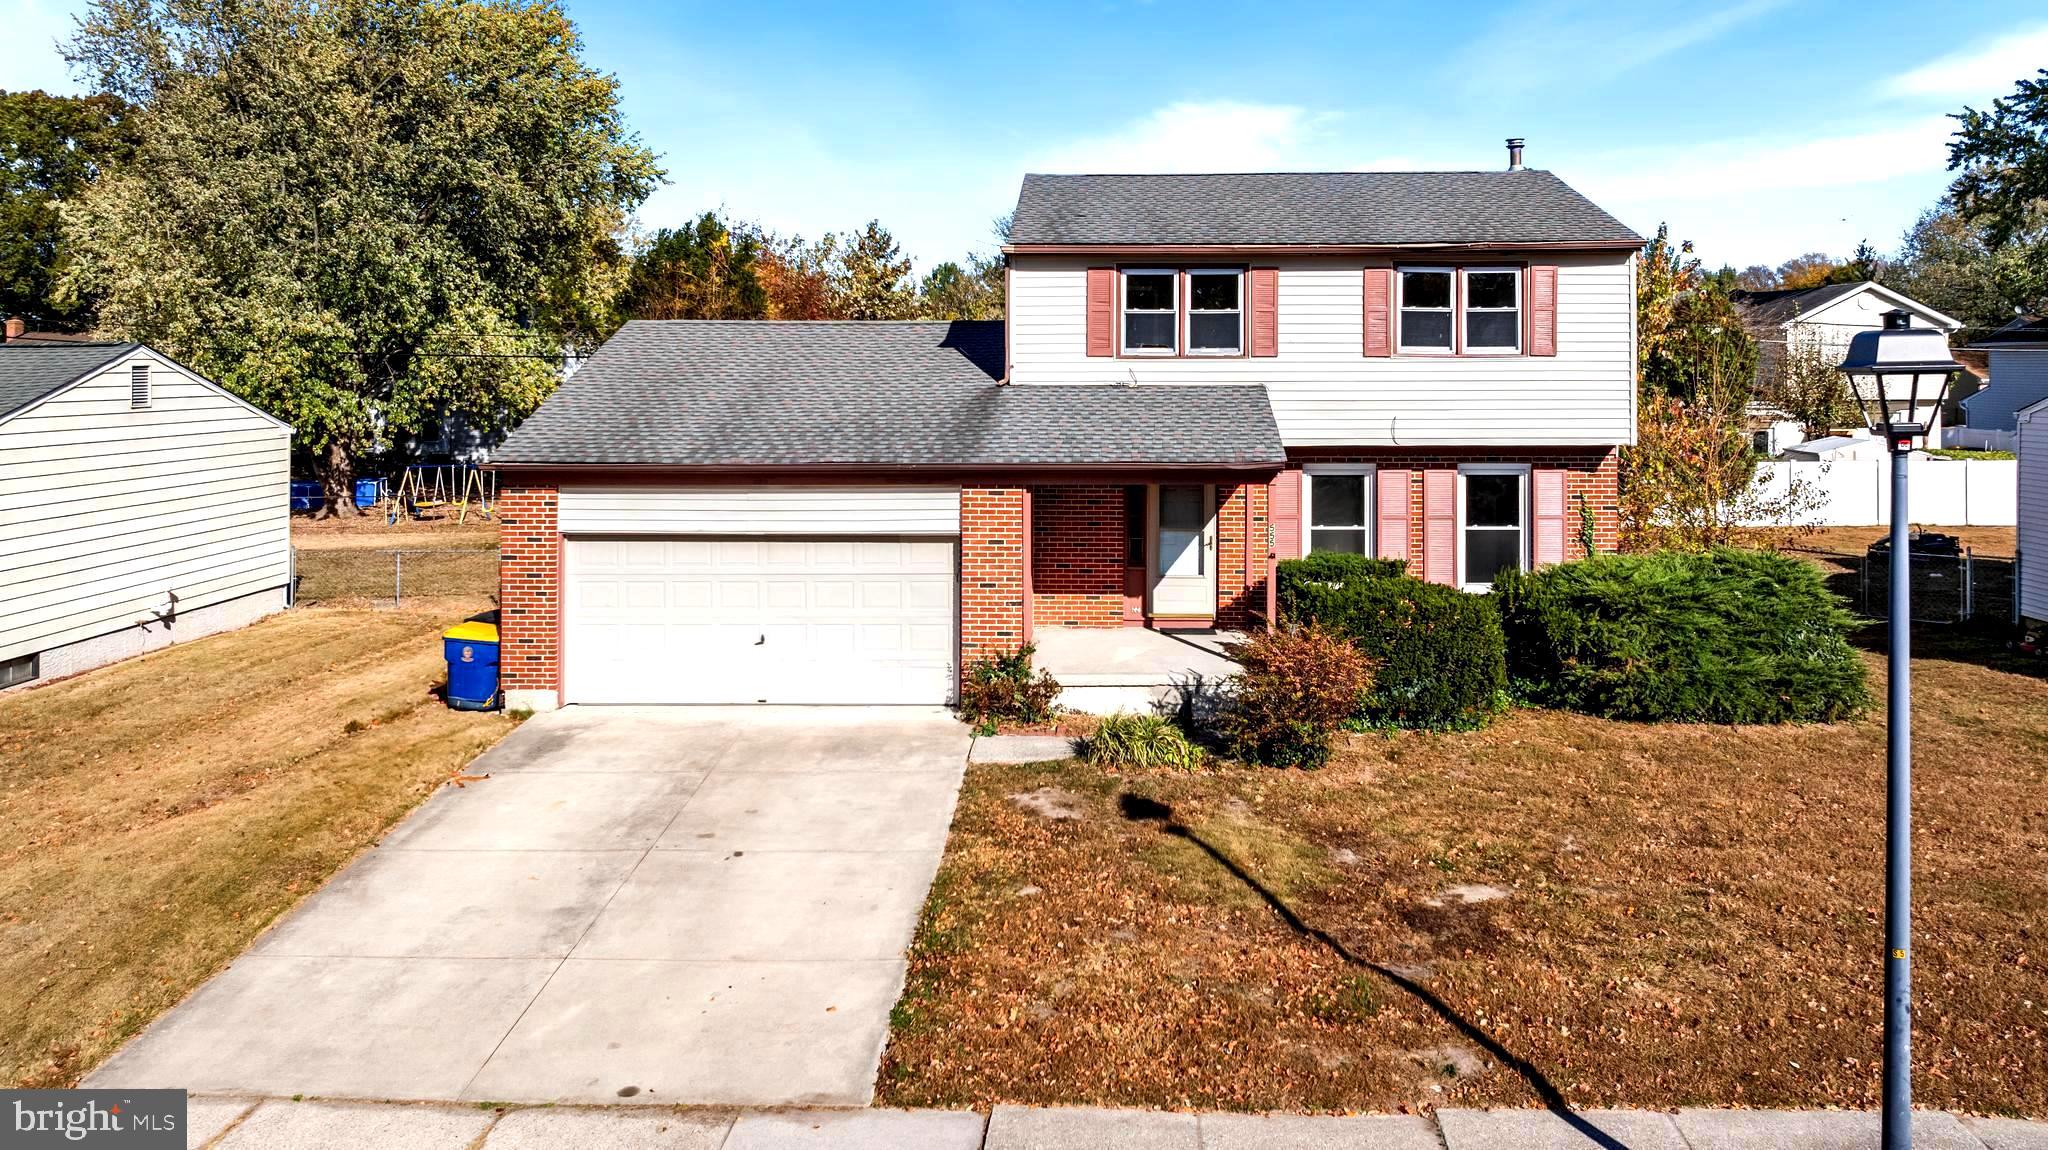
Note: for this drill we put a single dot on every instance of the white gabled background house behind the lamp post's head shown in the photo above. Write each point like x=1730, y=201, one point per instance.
x=1824, y=320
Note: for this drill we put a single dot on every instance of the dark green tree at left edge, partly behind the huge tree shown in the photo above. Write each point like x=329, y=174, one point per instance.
x=50, y=150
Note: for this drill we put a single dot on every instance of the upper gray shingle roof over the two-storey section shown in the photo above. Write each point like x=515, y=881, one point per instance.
x=1312, y=208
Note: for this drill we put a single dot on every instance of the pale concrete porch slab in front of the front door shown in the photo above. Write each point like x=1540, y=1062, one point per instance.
x=1132, y=668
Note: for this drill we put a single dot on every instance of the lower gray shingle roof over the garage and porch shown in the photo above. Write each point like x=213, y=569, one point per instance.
x=763, y=394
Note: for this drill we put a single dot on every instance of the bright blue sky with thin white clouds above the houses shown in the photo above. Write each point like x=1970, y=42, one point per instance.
x=1756, y=128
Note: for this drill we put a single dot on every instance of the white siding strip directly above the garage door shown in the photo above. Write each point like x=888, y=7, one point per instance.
x=761, y=511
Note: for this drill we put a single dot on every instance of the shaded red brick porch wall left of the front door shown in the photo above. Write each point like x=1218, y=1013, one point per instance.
x=1078, y=556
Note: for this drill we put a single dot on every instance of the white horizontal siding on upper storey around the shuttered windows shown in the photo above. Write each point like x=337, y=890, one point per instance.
x=1328, y=394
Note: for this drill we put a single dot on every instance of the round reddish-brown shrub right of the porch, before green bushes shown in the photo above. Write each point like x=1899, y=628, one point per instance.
x=1293, y=691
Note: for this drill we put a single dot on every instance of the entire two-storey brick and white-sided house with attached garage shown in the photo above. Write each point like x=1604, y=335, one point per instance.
x=1199, y=375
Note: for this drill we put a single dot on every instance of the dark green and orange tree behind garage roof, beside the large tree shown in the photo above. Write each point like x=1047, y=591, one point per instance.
x=708, y=271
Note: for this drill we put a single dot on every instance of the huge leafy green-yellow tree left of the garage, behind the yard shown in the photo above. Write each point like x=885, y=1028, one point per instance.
x=366, y=216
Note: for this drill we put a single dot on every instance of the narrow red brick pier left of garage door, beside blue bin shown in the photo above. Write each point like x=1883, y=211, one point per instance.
x=529, y=588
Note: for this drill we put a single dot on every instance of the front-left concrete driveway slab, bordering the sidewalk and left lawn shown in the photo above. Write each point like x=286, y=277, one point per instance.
x=349, y=1028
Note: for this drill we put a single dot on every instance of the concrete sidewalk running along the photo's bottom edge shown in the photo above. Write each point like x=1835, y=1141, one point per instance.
x=265, y=1124
